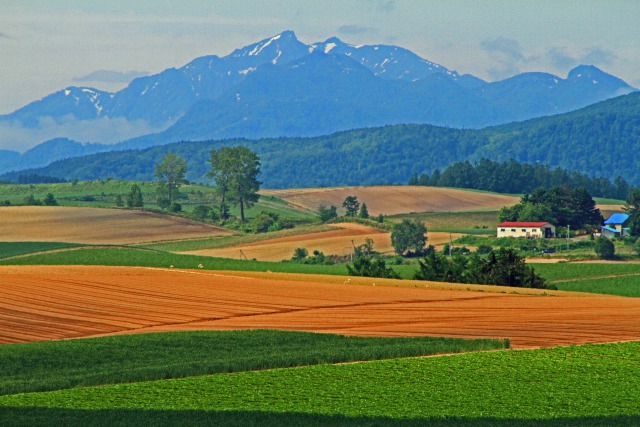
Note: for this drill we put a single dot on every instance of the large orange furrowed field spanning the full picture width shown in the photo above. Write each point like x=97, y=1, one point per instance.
x=44, y=303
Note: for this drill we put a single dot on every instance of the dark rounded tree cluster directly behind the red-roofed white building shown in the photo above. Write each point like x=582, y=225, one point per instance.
x=559, y=205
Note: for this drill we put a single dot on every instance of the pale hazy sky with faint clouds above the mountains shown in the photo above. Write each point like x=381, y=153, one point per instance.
x=48, y=45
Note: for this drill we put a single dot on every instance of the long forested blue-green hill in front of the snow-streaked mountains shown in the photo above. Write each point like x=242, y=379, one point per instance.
x=600, y=140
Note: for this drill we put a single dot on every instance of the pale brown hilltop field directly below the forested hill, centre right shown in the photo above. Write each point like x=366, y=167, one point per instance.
x=393, y=200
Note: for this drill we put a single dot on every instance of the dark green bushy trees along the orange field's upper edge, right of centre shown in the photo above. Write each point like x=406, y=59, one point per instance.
x=504, y=268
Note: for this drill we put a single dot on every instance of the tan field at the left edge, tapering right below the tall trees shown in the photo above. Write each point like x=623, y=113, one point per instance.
x=96, y=226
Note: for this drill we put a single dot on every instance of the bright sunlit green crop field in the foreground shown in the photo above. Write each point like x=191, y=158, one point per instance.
x=598, y=383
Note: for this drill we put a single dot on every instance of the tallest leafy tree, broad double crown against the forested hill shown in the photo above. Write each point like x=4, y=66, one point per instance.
x=235, y=171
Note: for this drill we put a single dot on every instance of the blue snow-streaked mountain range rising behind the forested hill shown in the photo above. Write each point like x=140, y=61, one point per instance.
x=282, y=87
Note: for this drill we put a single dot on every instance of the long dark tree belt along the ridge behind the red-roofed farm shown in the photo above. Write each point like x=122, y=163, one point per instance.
x=514, y=177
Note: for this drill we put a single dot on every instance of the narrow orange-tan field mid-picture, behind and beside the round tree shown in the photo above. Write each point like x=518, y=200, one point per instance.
x=335, y=242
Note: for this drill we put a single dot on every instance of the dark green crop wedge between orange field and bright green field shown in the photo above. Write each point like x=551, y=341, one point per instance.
x=55, y=365
